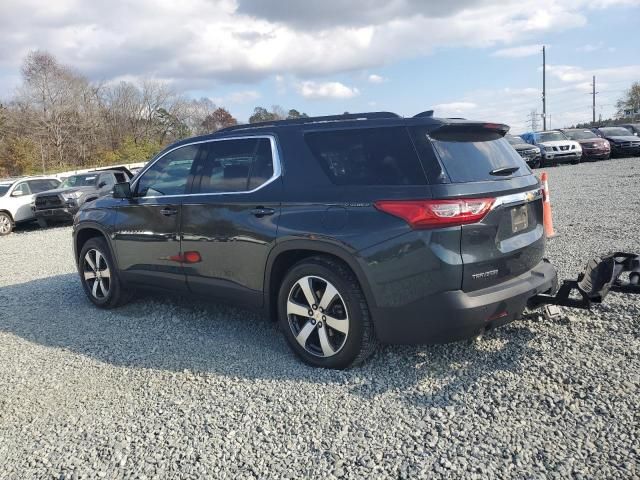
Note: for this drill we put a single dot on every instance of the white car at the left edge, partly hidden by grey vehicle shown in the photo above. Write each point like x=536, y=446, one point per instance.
x=16, y=196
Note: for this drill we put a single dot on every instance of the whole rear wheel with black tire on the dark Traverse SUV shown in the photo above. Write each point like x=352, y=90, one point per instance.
x=324, y=315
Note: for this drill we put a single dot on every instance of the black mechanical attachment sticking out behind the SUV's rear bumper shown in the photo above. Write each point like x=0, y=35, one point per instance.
x=601, y=276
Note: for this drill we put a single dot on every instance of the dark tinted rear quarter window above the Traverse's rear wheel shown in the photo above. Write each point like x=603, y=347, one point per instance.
x=372, y=156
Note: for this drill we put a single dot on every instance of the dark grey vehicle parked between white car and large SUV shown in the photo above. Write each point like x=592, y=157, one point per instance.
x=64, y=202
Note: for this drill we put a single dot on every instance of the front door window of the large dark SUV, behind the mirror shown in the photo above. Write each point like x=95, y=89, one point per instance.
x=169, y=175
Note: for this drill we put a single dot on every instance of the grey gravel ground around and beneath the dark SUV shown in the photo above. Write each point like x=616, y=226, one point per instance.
x=186, y=389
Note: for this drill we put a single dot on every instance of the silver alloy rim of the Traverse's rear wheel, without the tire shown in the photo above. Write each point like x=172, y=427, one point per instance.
x=318, y=316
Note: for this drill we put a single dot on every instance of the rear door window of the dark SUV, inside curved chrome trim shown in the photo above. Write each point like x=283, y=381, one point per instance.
x=239, y=165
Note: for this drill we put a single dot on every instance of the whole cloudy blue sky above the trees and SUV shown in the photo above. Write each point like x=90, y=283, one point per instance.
x=478, y=59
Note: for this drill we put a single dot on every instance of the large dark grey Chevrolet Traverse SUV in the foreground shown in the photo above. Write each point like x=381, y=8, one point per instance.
x=349, y=230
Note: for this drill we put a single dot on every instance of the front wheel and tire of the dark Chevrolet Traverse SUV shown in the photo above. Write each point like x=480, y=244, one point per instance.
x=99, y=276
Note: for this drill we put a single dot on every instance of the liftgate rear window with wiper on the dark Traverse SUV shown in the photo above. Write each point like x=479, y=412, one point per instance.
x=471, y=154
